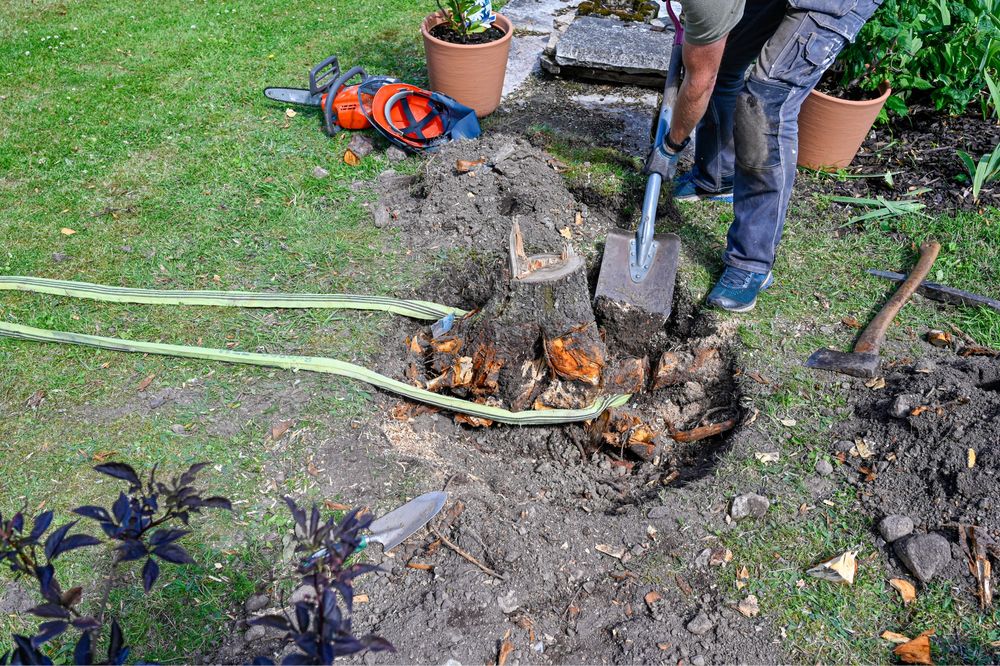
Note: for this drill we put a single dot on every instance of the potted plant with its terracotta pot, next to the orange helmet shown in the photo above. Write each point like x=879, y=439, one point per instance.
x=467, y=45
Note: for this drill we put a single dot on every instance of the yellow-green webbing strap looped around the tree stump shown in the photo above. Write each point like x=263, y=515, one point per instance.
x=417, y=309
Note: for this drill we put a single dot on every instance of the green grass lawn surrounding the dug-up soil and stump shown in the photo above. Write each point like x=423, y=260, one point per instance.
x=143, y=129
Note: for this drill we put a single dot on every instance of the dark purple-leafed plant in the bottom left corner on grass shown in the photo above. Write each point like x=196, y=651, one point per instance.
x=140, y=523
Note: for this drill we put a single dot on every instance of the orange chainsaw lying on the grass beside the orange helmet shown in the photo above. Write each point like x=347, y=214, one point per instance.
x=328, y=90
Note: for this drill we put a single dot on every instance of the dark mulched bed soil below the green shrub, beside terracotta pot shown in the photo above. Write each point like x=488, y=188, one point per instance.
x=921, y=151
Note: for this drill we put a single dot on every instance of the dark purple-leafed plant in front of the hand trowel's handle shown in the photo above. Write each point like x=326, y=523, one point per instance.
x=318, y=627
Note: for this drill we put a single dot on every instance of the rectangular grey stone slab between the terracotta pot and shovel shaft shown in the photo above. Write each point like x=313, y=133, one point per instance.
x=597, y=44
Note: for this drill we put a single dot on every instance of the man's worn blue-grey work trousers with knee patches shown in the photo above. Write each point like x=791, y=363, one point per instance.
x=748, y=138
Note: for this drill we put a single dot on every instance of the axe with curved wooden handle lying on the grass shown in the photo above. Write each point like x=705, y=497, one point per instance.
x=864, y=360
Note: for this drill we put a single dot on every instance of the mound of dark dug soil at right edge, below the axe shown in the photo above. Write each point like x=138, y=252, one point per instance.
x=919, y=432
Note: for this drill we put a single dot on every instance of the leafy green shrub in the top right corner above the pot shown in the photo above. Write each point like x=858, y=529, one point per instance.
x=936, y=51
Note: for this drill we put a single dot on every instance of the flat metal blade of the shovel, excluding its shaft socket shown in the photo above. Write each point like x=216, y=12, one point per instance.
x=654, y=294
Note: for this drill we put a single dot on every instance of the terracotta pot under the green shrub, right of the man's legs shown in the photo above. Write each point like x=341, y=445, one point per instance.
x=831, y=130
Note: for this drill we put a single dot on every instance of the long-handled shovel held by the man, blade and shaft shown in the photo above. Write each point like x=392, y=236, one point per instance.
x=640, y=268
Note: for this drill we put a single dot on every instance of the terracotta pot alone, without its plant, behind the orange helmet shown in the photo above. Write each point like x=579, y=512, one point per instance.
x=471, y=73
